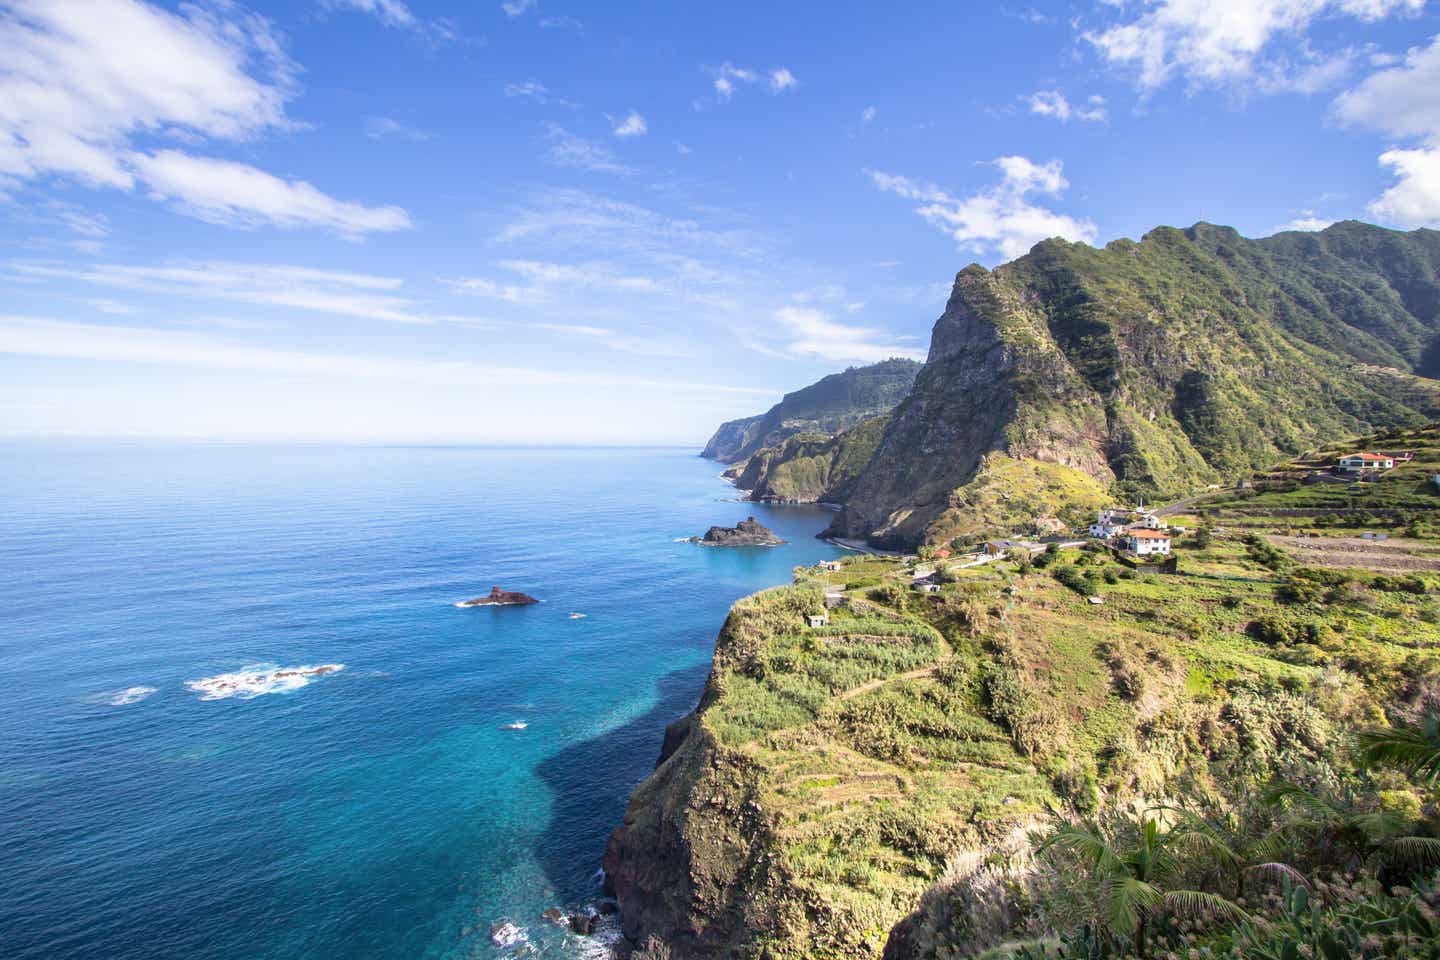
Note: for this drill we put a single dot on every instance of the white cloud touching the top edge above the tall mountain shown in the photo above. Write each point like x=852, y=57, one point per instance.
x=1215, y=42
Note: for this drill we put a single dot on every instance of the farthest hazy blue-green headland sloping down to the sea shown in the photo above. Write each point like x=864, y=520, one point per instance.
x=833, y=405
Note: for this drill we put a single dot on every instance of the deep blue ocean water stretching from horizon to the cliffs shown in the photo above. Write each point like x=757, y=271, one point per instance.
x=381, y=811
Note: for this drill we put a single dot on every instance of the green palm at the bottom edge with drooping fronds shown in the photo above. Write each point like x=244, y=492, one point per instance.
x=1135, y=874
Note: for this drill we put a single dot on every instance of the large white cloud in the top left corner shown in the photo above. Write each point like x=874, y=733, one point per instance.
x=84, y=80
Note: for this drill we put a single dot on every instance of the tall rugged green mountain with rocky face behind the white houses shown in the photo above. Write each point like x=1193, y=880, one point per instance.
x=1153, y=368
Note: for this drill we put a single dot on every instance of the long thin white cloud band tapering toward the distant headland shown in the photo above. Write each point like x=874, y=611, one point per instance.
x=41, y=338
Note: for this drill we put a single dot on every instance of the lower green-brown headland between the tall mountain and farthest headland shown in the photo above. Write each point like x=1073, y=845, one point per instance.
x=810, y=468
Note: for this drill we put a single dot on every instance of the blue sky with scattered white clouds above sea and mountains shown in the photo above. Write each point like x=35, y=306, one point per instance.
x=536, y=221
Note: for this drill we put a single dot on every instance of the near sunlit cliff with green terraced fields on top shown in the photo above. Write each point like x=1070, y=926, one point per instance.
x=863, y=789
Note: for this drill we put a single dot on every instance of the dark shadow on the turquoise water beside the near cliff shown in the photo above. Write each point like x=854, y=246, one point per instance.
x=593, y=781
